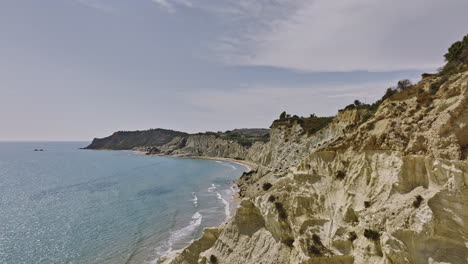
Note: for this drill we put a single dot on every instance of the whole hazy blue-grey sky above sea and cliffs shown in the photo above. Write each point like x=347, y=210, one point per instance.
x=79, y=69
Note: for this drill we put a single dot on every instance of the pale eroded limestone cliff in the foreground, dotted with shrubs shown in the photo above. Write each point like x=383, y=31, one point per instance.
x=390, y=189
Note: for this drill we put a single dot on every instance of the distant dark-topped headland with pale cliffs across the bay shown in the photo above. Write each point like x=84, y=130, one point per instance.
x=232, y=144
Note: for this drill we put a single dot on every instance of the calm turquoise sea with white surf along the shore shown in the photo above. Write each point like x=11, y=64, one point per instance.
x=66, y=205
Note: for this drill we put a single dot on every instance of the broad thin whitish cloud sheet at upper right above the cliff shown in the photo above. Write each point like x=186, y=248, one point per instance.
x=369, y=35
